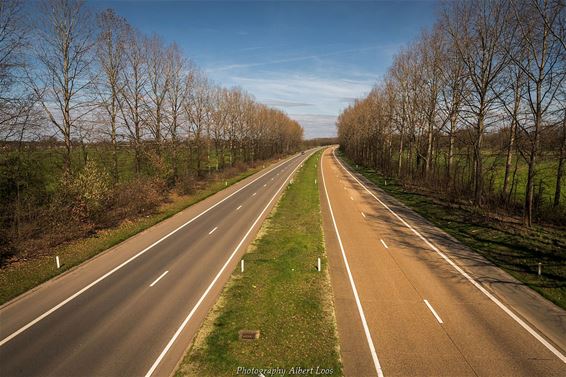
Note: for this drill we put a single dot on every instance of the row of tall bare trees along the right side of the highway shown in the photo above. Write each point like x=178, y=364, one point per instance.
x=472, y=102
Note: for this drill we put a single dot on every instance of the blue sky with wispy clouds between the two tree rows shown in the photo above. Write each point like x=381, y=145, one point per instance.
x=308, y=58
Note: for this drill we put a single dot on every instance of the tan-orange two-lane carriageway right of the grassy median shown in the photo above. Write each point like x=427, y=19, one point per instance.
x=411, y=301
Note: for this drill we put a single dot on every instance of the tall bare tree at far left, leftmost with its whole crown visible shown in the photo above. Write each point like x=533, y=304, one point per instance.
x=64, y=37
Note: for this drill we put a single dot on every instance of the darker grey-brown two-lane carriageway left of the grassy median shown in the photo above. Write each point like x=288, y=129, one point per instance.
x=133, y=310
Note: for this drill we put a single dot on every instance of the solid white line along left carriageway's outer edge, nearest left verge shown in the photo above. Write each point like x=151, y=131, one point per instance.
x=75, y=295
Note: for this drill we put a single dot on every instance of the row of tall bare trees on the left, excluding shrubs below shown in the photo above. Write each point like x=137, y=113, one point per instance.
x=97, y=77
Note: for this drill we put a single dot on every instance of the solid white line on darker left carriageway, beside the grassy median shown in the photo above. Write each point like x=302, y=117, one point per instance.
x=199, y=302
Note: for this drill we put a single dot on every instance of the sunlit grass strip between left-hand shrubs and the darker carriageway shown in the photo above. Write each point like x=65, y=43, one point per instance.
x=25, y=274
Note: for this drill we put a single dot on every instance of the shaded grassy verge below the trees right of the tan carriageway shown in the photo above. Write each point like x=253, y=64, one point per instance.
x=509, y=245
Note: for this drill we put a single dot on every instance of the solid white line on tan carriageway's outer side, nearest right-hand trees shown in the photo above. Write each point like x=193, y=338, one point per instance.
x=509, y=312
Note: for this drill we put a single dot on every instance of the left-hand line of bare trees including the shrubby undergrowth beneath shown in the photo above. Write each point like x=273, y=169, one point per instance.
x=91, y=109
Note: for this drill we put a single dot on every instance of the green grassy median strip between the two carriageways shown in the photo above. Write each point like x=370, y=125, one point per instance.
x=280, y=293
